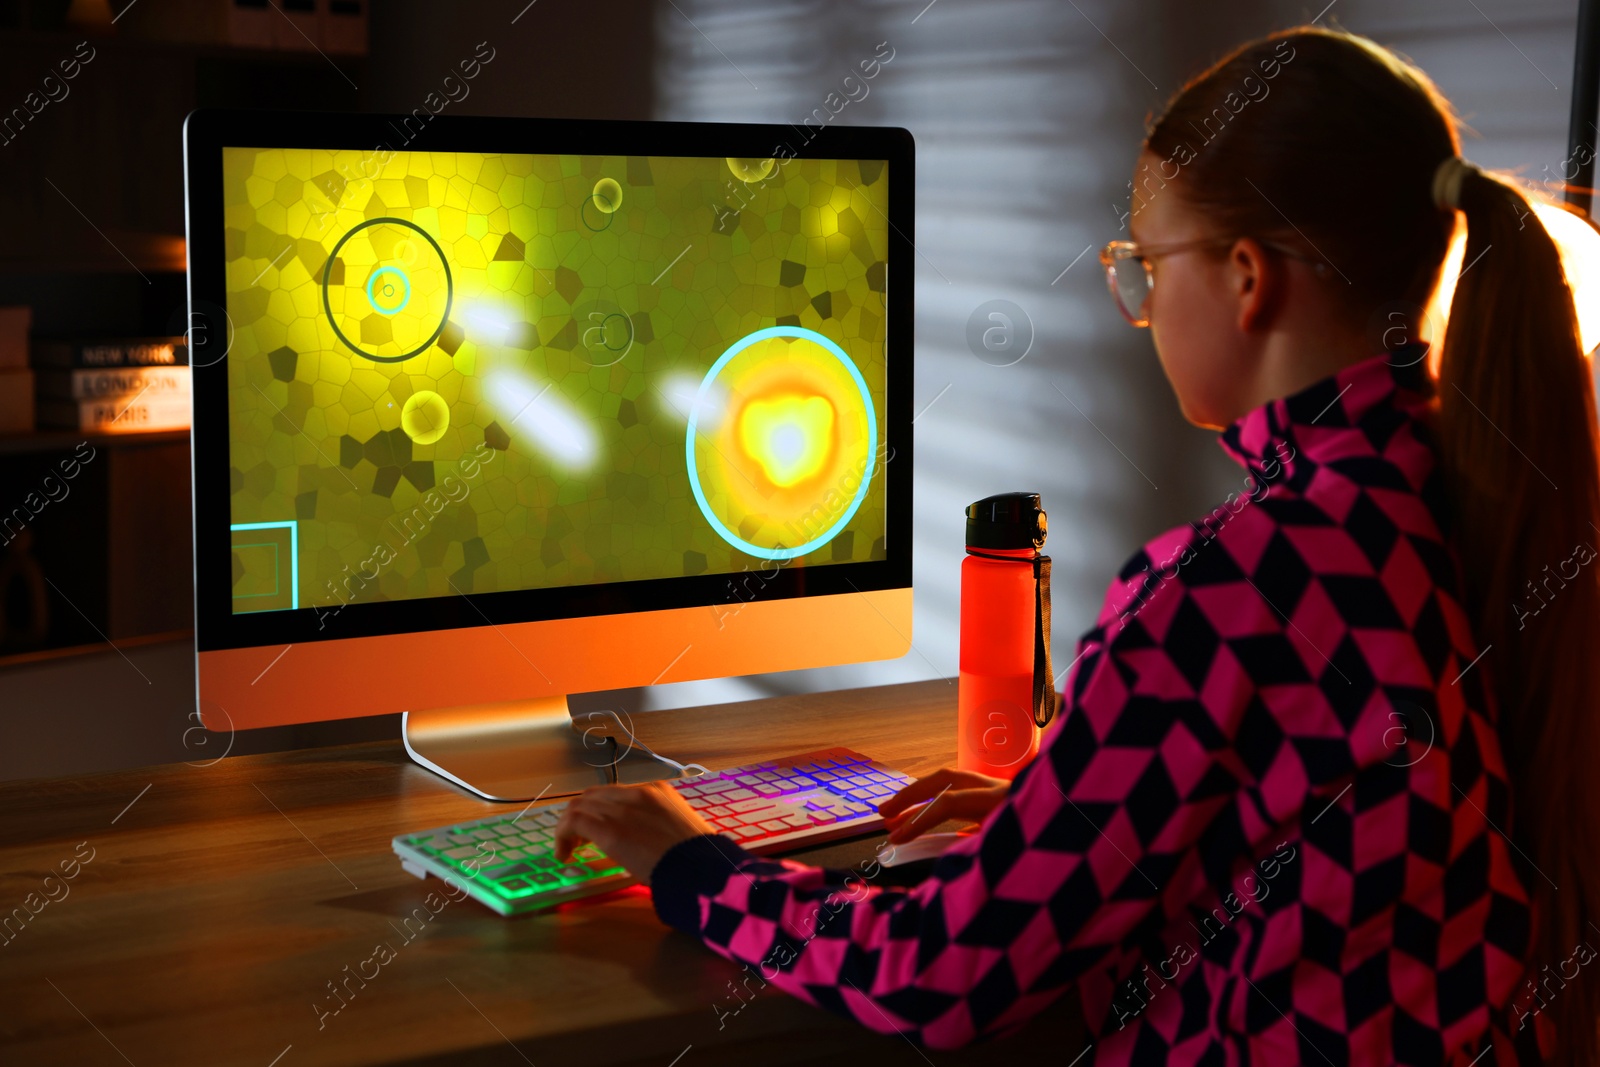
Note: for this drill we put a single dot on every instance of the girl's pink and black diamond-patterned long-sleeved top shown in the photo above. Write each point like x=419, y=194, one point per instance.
x=1268, y=826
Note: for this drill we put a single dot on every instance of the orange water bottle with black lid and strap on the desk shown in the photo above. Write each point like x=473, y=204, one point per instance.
x=1007, y=690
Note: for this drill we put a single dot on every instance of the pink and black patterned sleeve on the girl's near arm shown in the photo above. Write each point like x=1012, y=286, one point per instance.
x=1060, y=879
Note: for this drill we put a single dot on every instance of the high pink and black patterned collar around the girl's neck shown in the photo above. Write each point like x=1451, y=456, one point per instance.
x=1374, y=399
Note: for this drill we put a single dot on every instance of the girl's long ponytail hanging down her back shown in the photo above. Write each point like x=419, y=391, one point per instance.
x=1521, y=454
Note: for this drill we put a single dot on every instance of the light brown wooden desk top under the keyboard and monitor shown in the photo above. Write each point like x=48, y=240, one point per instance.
x=223, y=900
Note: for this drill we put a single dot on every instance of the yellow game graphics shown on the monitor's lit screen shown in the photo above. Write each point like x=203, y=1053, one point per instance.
x=460, y=374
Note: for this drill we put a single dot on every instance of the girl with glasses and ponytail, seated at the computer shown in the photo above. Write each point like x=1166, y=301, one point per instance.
x=1322, y=788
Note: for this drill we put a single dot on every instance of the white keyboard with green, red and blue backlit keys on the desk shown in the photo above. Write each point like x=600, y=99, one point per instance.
x=508, y=861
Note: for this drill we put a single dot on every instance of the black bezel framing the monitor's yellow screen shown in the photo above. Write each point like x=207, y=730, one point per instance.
x=209, y=132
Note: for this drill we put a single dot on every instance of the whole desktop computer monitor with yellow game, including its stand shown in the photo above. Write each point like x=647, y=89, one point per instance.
x=489, y=412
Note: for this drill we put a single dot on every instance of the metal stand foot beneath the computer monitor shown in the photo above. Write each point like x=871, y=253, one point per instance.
x=526, y=751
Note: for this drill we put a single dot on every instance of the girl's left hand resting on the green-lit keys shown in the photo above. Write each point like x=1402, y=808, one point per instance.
x=633, y=825
